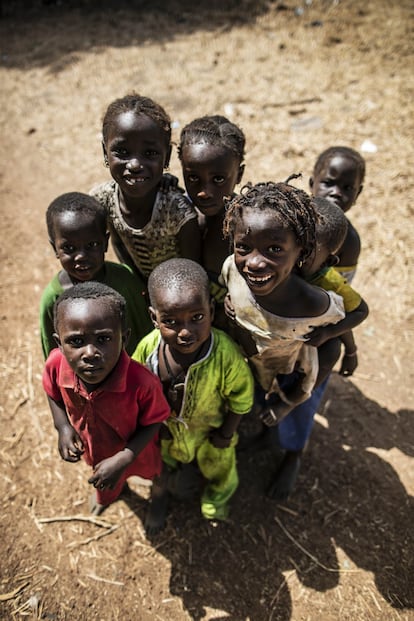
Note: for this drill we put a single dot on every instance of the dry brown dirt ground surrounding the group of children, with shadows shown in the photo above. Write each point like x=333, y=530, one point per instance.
x=297, y=77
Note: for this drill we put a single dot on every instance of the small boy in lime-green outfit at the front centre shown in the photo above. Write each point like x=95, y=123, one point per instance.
x=206, y=381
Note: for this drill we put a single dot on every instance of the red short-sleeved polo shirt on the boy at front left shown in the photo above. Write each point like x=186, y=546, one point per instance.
x=107, y=417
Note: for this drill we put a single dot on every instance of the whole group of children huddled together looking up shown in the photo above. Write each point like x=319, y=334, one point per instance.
x=222, y=305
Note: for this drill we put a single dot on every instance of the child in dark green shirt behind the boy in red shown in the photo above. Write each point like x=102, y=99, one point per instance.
x=77, y=229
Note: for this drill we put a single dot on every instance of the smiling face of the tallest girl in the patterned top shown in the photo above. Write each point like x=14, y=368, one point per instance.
x=137, y=152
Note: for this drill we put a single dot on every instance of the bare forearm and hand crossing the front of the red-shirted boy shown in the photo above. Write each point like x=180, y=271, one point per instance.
x=108, y=471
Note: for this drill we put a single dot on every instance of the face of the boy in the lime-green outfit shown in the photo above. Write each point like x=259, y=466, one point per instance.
x=184, y=320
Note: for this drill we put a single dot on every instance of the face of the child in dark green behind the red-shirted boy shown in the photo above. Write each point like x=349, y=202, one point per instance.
x=80, y=245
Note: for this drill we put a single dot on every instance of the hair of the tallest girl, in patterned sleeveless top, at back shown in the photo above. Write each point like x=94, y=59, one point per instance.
x=139, y=105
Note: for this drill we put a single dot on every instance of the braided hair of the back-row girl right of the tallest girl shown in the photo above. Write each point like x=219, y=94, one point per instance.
x=214, y=130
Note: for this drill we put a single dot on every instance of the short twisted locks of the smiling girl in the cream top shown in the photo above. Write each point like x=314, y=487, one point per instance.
x=293, y=209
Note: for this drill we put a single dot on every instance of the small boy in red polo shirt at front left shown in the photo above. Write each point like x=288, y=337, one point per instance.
x=105, y=406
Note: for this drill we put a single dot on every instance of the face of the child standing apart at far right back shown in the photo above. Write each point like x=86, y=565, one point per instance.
x=338, y=181
